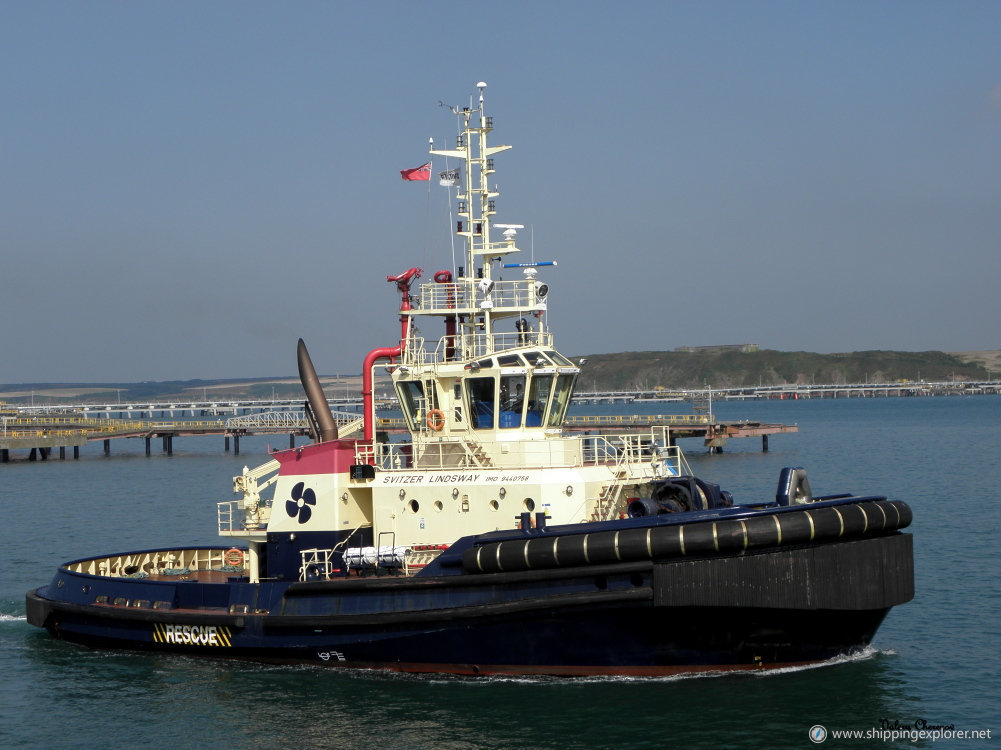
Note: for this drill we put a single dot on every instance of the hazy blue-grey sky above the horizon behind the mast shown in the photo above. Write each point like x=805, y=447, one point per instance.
x=189, y=188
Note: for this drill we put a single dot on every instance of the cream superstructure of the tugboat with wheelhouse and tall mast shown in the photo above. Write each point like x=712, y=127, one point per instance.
x=485, y=404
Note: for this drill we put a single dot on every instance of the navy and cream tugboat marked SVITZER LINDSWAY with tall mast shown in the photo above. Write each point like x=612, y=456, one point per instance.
x=494, y=542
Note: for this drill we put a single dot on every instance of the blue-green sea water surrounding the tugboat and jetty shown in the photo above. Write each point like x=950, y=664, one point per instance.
x=934, y=663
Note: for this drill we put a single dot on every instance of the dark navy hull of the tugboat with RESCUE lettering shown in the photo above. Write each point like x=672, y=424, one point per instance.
x=803, y=601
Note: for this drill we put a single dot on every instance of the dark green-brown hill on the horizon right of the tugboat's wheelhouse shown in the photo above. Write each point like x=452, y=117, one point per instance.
x=732, y=369
